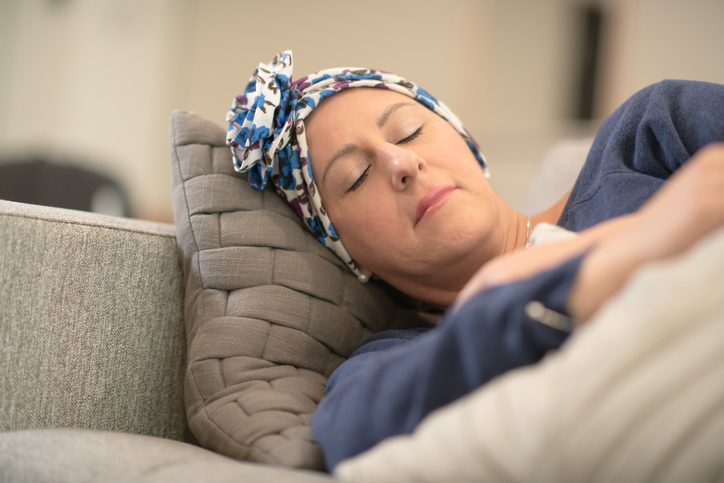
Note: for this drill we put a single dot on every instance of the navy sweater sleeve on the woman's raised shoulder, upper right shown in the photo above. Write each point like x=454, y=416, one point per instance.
x=640, y=145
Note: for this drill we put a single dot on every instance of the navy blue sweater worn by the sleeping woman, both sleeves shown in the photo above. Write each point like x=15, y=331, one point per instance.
x=395, y=378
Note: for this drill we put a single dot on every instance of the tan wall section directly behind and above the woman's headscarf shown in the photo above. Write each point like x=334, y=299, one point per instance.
x=442, y=46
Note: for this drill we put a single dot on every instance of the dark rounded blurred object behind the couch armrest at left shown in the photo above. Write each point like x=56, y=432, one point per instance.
x=43, y=183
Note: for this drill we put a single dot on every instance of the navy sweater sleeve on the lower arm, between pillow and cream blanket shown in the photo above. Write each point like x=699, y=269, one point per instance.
x=394, y=380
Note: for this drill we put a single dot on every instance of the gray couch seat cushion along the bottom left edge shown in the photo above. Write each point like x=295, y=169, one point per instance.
x=83, y=456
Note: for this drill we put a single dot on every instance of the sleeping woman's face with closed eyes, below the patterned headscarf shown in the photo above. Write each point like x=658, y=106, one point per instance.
x=405, y=193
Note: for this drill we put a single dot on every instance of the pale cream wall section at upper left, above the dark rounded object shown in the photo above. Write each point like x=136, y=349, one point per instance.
x=95, y=81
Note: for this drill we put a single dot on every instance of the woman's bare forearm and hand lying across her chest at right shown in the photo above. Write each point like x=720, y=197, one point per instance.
x=689, y=206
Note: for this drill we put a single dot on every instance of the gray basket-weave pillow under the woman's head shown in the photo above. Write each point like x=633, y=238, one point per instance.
x=269, y=312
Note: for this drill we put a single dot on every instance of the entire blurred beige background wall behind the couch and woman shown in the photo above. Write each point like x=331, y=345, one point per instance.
x=92, y=83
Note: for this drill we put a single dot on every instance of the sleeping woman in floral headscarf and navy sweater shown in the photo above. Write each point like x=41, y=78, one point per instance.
x=387, y=177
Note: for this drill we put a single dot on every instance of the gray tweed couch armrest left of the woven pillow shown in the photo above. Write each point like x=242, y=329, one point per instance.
x=91, y=334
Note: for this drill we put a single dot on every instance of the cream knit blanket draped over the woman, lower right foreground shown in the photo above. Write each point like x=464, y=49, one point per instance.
x=637, y=395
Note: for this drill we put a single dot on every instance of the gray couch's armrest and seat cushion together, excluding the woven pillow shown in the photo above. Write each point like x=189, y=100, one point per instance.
x=93, y=354
